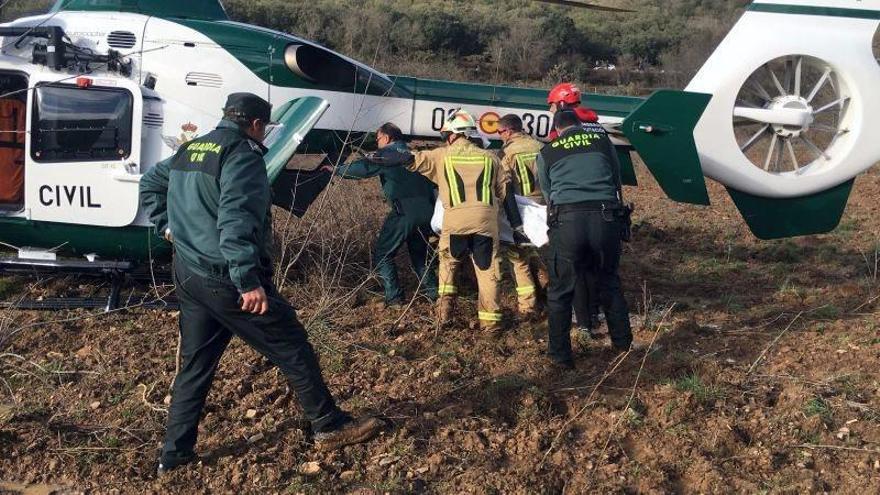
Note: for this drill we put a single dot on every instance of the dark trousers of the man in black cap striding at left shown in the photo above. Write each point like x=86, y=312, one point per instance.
x=210, y=314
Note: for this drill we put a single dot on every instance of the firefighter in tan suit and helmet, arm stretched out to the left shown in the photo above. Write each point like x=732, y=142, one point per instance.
x=473, y=192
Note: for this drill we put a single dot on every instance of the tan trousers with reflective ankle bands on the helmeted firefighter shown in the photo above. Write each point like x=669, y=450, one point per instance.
x=482, y=251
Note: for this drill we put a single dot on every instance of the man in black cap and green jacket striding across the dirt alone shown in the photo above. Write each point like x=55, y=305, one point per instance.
x=212, y=198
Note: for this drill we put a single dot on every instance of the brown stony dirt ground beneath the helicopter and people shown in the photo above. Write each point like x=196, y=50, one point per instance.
x=760, y=376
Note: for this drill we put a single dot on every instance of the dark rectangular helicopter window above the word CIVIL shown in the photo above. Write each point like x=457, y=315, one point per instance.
x=72, y=124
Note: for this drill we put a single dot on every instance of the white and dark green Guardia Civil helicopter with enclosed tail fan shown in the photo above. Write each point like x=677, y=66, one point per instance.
x=94, y=92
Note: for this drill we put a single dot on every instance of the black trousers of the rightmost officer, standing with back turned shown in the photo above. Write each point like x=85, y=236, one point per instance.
x=584, y=241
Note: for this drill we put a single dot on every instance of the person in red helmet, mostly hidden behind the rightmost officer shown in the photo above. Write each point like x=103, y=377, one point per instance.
x=586, y=302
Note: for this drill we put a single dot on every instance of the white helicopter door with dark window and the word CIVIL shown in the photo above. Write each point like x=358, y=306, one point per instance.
x=83, y=152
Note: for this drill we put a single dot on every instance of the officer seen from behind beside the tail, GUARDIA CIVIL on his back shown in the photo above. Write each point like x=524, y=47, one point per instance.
x=579, y=176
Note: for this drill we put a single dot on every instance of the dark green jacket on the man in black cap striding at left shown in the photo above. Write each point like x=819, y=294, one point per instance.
x=214, y=196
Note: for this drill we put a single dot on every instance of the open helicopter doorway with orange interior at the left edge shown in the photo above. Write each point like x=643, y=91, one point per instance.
x=13, y=116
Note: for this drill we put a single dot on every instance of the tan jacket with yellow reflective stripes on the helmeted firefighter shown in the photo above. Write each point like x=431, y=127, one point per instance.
x=471, y=186
